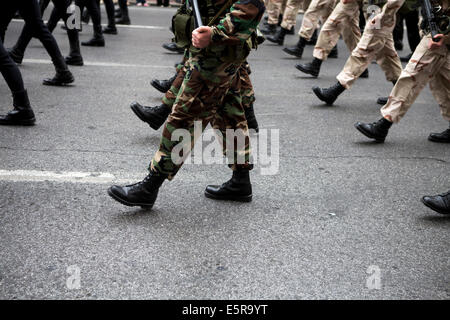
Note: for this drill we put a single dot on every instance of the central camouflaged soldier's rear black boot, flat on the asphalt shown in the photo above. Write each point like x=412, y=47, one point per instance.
x=238, y=188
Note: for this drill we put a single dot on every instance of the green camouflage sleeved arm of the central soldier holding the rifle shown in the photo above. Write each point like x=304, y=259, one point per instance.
x=240, y=23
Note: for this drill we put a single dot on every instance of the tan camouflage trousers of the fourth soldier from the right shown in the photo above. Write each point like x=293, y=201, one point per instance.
x=317, y=10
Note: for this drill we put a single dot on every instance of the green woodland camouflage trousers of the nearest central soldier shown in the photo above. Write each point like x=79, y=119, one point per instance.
x=211, y=98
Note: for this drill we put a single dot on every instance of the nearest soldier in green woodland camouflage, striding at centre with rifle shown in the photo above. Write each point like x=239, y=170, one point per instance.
x=210, y=93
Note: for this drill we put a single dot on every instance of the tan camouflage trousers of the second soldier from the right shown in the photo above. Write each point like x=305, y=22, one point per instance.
x=376, y=43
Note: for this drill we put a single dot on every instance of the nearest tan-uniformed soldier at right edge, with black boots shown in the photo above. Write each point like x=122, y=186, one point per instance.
x=430, y=62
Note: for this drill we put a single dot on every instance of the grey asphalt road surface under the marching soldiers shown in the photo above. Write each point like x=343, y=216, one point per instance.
x=341, y=219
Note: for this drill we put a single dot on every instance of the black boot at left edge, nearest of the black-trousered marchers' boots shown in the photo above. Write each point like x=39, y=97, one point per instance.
x=22, y=114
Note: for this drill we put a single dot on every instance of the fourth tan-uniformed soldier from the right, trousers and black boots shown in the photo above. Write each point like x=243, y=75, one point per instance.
x=318, y=10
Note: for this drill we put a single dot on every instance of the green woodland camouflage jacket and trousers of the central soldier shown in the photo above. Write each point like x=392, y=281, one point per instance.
x=210, y=91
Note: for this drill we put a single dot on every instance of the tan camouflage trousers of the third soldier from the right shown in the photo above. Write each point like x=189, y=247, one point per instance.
x=344, y=20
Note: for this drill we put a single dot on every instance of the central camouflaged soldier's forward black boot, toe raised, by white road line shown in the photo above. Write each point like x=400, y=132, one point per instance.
x=142, y=194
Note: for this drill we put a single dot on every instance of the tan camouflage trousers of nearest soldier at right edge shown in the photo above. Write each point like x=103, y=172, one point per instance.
x=424, y=66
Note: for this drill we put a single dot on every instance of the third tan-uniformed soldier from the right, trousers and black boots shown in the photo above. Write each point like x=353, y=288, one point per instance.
x=344, y=20
